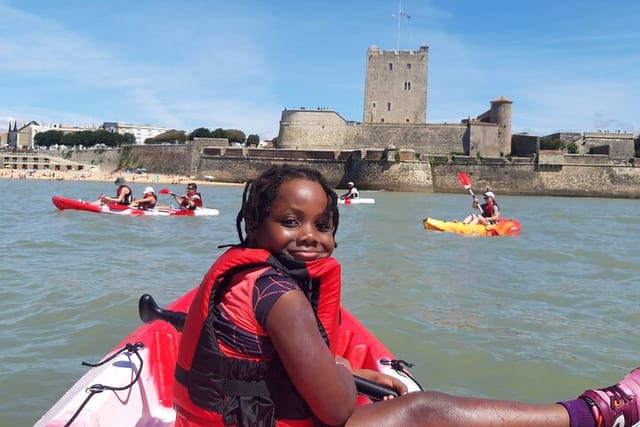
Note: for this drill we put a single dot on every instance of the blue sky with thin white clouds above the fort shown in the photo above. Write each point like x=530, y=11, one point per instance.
x=570, y=65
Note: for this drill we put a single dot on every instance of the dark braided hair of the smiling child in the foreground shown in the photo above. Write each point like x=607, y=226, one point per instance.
x=259, y=194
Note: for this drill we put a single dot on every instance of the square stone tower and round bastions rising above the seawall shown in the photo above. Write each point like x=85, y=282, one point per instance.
x=395, y=113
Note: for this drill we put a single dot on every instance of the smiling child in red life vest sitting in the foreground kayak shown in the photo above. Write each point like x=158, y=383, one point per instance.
x=256, y=347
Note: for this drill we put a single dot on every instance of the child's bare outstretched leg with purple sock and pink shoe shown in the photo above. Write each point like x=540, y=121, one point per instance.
x=614, y=406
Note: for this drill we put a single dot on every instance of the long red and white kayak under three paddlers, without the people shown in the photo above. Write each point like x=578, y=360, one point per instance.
x=64, y=203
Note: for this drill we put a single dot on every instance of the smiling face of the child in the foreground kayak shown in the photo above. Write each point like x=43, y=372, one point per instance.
x=299, y=226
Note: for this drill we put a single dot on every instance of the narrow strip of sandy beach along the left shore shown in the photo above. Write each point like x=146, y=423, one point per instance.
x=96, y=174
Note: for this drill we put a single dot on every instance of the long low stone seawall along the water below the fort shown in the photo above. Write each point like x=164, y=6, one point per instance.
x=549, y=173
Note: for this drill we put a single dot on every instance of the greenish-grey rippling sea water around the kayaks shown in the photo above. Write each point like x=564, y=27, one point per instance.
x=537, y=317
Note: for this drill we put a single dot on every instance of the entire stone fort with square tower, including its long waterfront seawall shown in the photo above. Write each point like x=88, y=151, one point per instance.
x=394, y=148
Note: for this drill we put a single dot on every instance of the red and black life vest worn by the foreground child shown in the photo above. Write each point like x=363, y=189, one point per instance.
x=212, y=388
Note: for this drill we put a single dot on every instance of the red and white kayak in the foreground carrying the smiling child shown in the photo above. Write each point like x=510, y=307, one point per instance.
x=133, y=387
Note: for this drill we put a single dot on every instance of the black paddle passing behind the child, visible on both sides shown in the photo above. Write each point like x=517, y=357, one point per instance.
x=149, y=311
